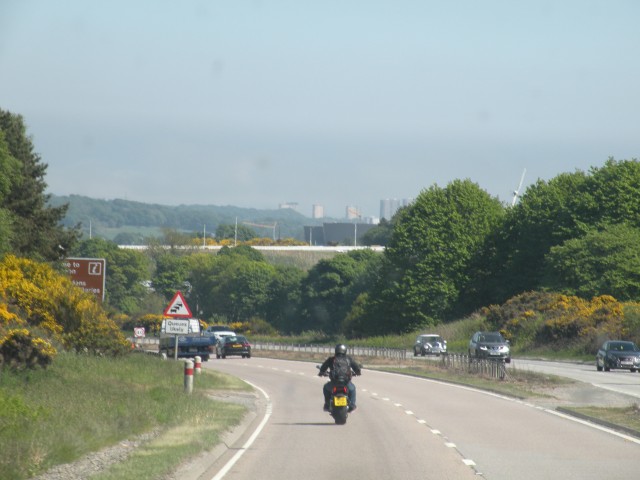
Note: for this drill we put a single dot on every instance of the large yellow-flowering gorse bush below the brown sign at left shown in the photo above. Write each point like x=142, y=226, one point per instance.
x=36, y=298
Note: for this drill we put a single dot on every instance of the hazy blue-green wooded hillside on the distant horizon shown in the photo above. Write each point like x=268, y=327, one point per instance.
x=108, y=218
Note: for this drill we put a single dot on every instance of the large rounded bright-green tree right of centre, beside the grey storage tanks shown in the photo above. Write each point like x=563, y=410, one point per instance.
x=427, y=261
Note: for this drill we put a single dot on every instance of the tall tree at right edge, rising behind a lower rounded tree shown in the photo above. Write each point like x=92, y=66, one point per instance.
x=551, y=213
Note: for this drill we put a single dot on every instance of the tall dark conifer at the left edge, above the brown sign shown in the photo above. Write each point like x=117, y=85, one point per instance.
x=36, y=226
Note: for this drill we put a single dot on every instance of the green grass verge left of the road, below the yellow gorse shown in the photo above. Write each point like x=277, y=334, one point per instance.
x=82, y=404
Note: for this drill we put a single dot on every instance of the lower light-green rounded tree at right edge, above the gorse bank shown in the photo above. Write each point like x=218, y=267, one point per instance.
x=602, y=262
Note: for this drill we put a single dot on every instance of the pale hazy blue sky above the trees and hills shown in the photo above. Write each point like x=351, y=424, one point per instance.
x=257, y=103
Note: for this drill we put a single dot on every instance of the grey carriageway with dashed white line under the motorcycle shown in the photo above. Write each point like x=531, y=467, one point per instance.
x=406, y=427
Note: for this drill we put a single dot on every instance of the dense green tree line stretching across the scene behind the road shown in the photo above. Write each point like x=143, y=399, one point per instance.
x=452, y=251
